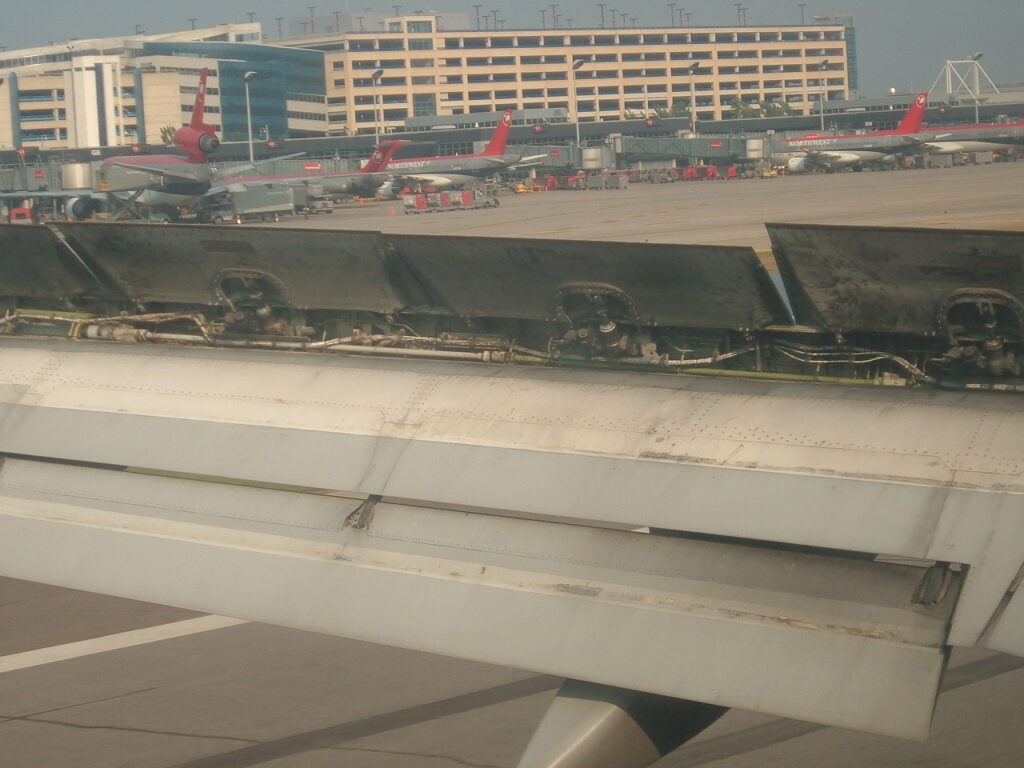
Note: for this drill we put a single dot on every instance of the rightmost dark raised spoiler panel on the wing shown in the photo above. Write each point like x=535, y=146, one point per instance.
x=900, y=281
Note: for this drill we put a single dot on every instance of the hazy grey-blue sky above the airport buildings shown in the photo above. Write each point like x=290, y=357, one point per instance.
x=902, y=45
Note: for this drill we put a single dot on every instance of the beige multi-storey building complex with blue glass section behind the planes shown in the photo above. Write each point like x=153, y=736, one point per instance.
x=326, y=80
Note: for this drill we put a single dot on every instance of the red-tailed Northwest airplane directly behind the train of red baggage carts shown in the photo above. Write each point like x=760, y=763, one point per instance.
x=455, y=170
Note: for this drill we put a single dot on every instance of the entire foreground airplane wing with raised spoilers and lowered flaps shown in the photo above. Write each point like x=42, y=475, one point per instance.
x=622, y=464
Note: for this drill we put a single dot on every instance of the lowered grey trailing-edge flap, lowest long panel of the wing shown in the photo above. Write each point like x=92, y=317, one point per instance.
x=829, y=641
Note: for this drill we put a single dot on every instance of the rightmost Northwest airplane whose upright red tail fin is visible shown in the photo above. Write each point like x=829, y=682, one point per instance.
x=831, y=153
